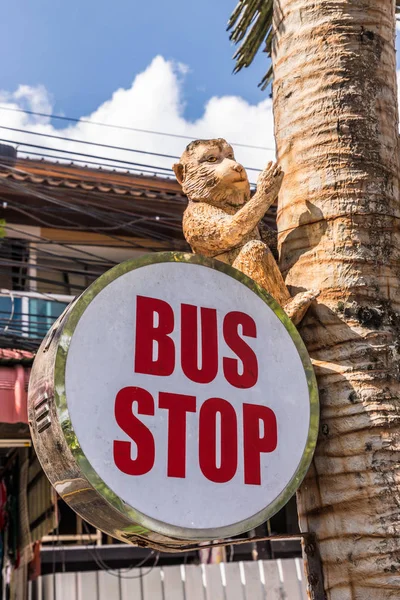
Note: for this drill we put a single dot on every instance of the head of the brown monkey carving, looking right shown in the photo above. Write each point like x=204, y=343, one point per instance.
x=208, y=172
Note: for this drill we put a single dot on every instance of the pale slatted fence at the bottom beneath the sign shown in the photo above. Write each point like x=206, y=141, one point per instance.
x=257, y=580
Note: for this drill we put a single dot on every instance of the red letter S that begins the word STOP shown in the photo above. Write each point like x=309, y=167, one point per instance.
x=136, y=430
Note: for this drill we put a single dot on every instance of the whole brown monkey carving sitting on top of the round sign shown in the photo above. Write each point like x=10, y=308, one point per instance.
x=221, y=220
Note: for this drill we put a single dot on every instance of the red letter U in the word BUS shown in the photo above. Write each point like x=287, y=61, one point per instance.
x=189, y=343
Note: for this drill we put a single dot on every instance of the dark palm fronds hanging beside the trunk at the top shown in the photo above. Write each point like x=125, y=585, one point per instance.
x=251, y=25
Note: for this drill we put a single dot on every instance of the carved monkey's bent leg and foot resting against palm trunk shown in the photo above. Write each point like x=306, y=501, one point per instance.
x=256, y=261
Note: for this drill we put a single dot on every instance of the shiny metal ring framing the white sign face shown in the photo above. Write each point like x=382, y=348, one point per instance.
x=144, y=522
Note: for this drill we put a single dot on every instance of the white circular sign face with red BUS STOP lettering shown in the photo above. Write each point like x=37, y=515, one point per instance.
x=187, y=395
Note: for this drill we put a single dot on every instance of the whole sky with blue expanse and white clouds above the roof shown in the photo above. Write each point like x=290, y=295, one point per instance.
x=155, y=65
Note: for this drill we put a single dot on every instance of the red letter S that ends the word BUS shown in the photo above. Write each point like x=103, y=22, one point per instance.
x=249, y=360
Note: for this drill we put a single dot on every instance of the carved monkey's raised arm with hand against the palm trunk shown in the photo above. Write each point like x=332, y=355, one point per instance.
x=210, y=231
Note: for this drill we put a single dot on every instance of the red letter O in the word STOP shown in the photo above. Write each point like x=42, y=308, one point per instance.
x=208, y=440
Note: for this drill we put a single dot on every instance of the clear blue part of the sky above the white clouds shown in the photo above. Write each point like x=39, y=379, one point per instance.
x=83, y=50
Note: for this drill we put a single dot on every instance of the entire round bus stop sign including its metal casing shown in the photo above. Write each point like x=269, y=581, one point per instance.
x=185, y=396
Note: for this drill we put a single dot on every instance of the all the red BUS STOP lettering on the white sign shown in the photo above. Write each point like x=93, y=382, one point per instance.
x=218, y=435
